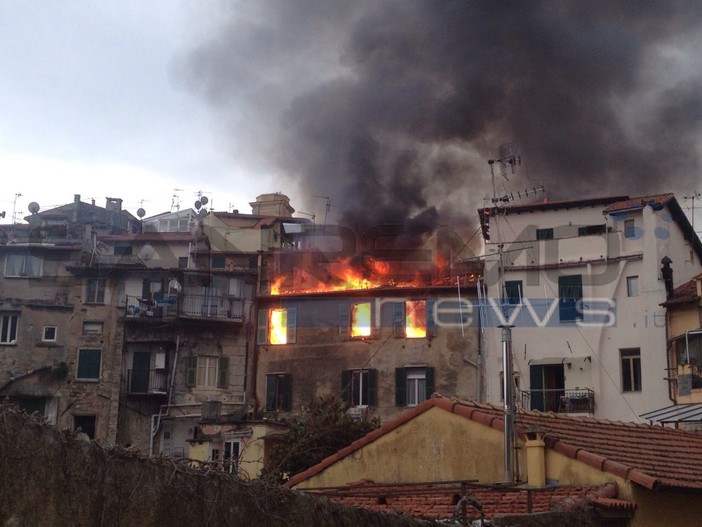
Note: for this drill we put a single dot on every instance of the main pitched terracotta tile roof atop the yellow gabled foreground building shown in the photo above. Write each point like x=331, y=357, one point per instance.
x=652, y=456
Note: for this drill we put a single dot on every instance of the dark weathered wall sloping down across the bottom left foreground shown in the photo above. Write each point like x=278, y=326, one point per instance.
x=50, y=478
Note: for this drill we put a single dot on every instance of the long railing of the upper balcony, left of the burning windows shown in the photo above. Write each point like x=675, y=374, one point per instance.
x=188, y=306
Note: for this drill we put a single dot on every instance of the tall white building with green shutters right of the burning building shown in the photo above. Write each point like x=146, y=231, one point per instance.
x=582, y=282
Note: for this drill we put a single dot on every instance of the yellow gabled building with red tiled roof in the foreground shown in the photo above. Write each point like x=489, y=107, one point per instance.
x=643, y=475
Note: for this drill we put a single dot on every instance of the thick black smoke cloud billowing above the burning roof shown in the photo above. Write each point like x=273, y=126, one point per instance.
x=392, y=108
